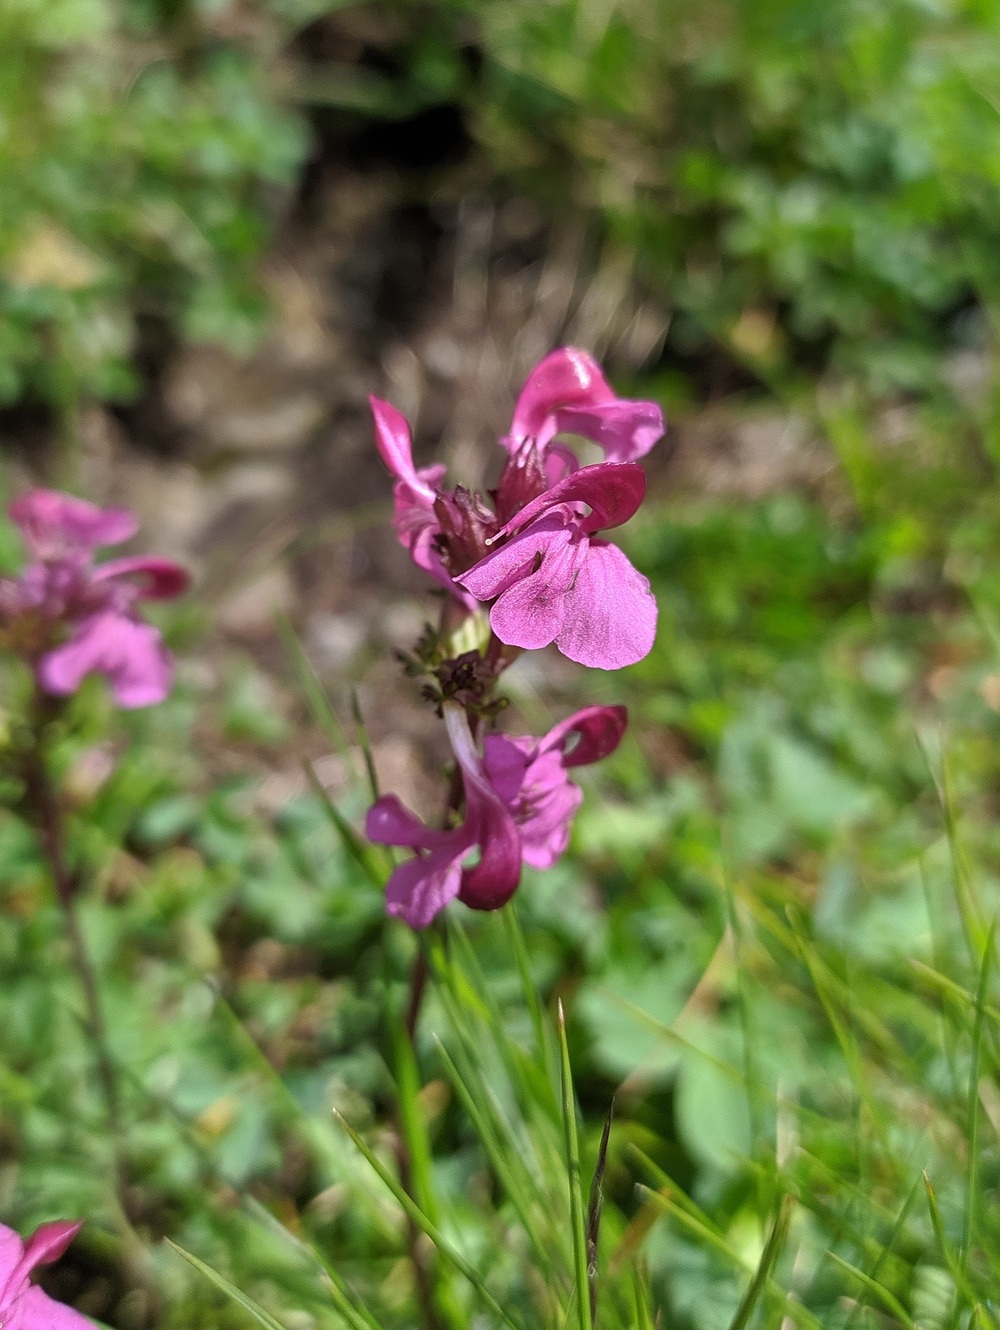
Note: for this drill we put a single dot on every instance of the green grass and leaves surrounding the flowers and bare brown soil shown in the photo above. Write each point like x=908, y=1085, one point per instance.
x=773, y=937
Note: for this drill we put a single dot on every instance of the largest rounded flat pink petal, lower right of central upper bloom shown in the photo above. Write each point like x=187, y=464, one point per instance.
x=611, y=615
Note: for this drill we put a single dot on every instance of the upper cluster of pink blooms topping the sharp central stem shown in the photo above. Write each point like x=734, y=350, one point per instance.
x=537, y=557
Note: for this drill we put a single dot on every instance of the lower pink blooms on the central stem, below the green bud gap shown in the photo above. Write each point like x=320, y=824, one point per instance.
x=519, y=805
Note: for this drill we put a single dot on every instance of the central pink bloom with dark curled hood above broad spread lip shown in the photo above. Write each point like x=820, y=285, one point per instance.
x=553, y=582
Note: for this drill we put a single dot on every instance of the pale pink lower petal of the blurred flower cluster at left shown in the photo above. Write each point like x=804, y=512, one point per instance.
x=130, y=654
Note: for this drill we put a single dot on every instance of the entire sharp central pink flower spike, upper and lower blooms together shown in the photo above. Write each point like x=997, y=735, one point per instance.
x=537, y=559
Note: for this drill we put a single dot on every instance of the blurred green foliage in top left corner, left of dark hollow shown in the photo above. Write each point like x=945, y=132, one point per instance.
x=142, y=143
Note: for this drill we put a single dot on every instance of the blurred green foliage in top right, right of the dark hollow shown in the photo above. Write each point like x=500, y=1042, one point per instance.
x=809, y=184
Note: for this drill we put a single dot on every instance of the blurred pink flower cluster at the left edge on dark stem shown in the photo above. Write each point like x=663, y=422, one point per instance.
x=71, y=616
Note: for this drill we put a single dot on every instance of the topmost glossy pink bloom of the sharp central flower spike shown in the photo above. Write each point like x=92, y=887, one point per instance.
x=568, y=393
